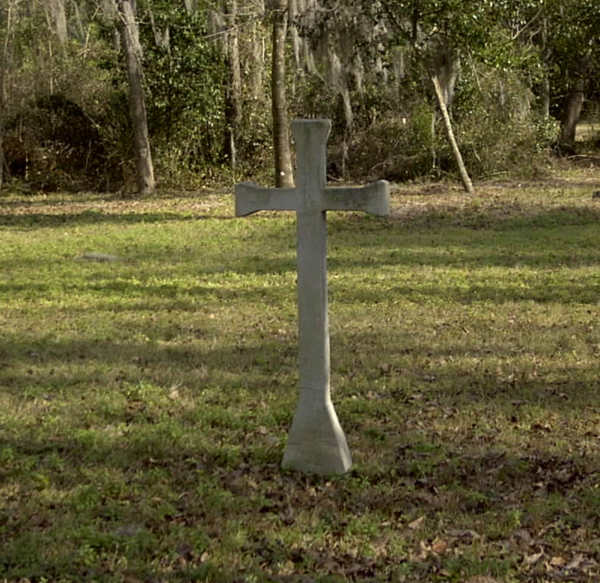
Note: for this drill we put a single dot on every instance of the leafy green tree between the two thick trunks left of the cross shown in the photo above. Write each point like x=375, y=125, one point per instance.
x=189, y=88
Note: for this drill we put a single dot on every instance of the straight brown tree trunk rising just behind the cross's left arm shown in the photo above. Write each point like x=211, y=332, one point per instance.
x=284, y=176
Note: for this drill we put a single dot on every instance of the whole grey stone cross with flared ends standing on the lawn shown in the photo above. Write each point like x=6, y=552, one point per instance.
x=316, y=442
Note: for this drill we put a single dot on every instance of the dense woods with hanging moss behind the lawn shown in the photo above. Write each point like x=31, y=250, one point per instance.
x=106, y=95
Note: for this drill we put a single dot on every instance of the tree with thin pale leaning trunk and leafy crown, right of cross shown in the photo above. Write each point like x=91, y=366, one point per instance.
x=436, y=33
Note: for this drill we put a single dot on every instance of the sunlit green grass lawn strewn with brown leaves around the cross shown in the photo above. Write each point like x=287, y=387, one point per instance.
x=145, y=402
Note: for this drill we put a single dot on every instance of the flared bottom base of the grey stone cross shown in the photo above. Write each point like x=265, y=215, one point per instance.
x=316, y=442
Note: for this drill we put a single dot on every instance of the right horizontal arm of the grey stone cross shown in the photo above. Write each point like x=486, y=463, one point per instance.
x=373, y=198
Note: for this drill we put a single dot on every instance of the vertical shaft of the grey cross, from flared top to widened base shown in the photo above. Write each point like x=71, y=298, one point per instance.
x=316, y=441
